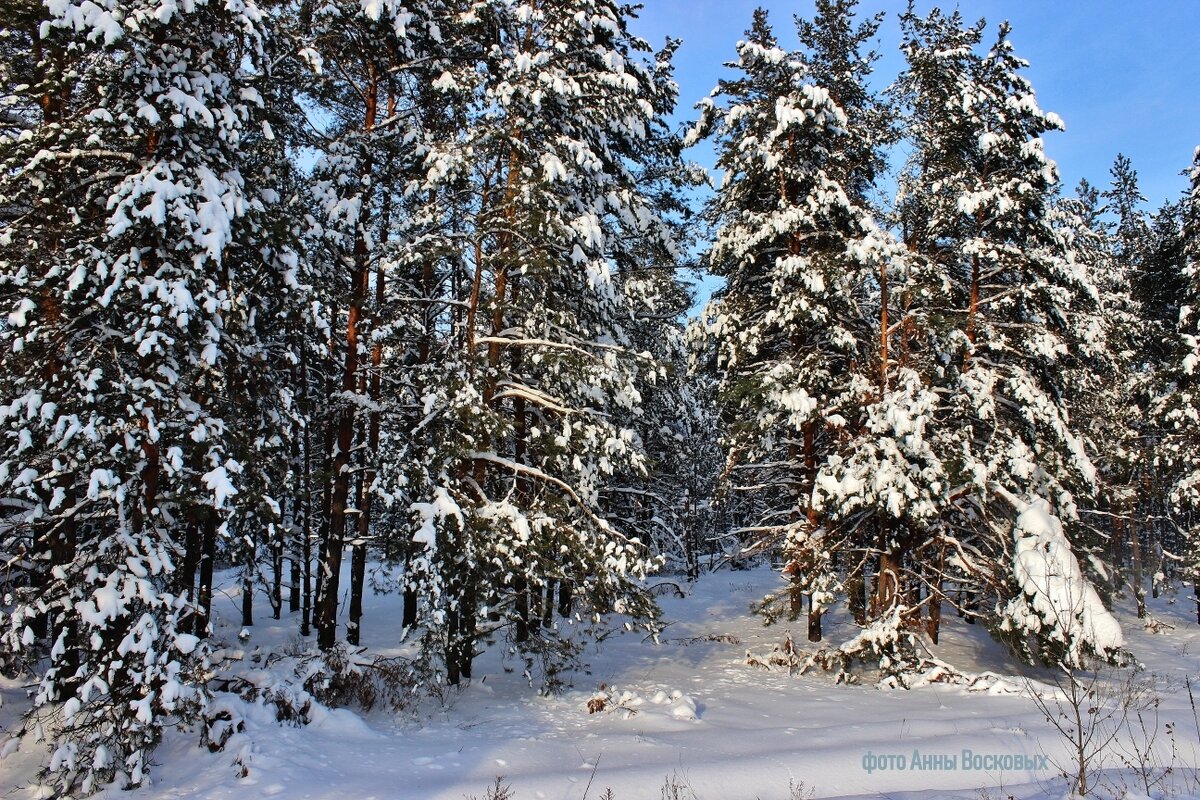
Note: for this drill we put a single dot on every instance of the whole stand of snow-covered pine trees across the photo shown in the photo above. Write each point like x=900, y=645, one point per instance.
x=304, y=282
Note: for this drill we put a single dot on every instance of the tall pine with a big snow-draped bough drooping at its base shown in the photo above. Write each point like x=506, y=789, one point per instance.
x=1006, y=328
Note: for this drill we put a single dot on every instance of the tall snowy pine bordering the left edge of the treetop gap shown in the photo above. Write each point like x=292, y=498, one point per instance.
x=799, y=248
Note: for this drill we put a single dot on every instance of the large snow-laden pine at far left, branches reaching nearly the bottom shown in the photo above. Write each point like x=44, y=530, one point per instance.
x=143, y=269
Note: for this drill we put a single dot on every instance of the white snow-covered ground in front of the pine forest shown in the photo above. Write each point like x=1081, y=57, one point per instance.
x=686, y=712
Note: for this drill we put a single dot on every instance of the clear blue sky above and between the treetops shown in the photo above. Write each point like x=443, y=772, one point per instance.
x=1125, y=75
